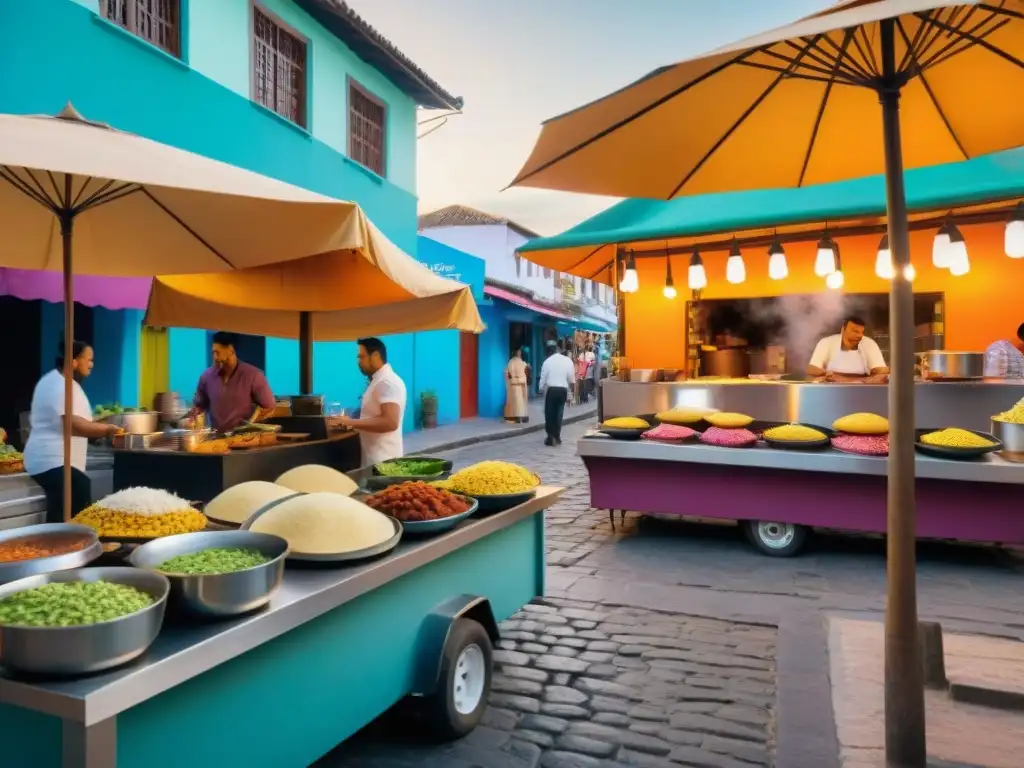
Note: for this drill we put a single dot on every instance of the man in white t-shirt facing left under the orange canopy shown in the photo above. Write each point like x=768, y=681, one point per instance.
x=382, y=408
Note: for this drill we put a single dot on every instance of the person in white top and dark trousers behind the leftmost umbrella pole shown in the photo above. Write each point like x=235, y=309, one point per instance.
x=45, y=451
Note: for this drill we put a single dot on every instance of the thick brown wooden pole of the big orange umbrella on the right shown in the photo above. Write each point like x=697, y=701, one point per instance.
x=906, y=743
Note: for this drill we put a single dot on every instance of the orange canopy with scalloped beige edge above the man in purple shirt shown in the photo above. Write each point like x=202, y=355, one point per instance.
x=371, y=289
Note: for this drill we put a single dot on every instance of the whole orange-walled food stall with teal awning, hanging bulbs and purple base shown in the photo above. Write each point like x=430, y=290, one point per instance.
x=780, y=496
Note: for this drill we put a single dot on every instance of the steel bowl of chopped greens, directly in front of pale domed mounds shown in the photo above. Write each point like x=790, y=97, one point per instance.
x=218, y=594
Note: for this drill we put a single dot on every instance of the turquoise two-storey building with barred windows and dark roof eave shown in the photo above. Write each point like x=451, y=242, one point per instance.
x=344, y=125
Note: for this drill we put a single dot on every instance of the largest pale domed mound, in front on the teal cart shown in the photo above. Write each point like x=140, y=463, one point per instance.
x=325, y=525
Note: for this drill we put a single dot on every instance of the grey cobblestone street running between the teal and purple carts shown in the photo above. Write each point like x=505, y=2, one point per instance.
x=661, y=644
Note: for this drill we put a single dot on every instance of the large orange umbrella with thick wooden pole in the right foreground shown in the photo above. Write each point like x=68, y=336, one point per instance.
x=800, y=106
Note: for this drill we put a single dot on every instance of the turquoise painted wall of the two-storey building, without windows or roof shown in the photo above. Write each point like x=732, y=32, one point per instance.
x=65, y=52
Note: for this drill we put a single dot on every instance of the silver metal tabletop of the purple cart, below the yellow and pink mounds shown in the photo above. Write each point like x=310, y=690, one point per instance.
x=988, y=470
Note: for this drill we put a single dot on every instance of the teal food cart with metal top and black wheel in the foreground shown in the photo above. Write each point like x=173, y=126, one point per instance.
x=281, y=688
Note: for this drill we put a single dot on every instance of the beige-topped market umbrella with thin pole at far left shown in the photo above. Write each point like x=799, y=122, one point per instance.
x=87, y=199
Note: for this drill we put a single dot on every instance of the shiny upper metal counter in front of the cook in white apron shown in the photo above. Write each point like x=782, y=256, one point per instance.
x=965, y=405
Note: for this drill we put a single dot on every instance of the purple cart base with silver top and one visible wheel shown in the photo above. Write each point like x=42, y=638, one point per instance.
x=779, y=496
